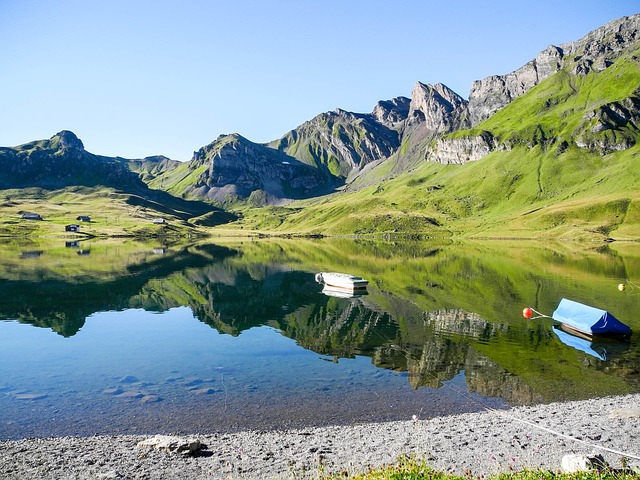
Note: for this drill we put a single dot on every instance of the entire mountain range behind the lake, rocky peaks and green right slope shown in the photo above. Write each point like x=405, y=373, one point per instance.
x=559, y=134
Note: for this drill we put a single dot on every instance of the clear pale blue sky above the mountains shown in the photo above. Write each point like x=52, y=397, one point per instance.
x=144, y=77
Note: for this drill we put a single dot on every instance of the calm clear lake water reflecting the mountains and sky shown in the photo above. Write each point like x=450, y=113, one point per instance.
x=103, y=337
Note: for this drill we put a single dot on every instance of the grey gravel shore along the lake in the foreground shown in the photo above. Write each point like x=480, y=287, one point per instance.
x=477, y=443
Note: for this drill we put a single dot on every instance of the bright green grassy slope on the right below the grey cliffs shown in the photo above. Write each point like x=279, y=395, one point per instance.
x=539, y=183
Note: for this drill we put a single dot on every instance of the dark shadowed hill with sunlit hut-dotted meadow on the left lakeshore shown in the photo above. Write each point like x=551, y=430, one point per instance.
x=58, y=180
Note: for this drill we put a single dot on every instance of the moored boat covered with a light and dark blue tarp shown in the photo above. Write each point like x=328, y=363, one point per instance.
x=588, y=319
